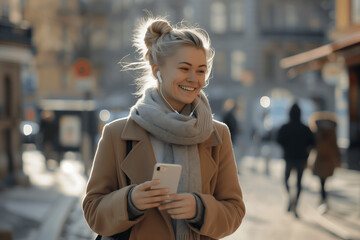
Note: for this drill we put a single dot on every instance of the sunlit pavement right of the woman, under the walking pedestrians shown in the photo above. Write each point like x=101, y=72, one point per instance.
x=266, y=201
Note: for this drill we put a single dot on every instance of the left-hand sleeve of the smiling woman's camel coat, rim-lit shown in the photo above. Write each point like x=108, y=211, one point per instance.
x=105, y=202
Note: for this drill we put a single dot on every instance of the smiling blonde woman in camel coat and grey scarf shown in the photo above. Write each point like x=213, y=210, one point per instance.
x=171, y=123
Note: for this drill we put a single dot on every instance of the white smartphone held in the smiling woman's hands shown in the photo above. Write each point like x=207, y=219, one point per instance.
x=169, y=176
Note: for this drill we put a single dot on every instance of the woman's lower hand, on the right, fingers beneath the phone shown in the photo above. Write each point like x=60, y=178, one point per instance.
x=182, y=206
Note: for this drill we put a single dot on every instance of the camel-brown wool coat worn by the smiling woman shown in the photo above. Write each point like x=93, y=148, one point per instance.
x=105, y=203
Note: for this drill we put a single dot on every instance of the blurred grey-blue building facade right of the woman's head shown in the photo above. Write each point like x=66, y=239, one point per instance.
x=250, y=38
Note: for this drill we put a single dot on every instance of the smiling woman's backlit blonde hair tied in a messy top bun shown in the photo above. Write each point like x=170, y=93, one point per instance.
x=155, y=39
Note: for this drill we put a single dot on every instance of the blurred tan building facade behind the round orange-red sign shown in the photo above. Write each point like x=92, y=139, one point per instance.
x=63, y=41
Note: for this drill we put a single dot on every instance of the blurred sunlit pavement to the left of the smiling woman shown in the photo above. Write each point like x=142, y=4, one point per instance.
x=39, y=212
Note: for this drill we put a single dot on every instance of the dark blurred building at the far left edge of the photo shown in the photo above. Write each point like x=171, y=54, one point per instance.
x=15, y=58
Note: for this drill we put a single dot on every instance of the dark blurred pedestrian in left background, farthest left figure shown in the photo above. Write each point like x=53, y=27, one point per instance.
x=49, y=133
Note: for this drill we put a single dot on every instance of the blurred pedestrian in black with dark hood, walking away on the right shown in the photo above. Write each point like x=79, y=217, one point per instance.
x=296, y=140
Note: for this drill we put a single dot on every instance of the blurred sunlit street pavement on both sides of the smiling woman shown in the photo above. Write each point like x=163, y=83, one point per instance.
x=51, y=207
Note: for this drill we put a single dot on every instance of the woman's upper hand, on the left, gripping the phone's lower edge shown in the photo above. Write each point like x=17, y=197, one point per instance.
x=143, y=197
